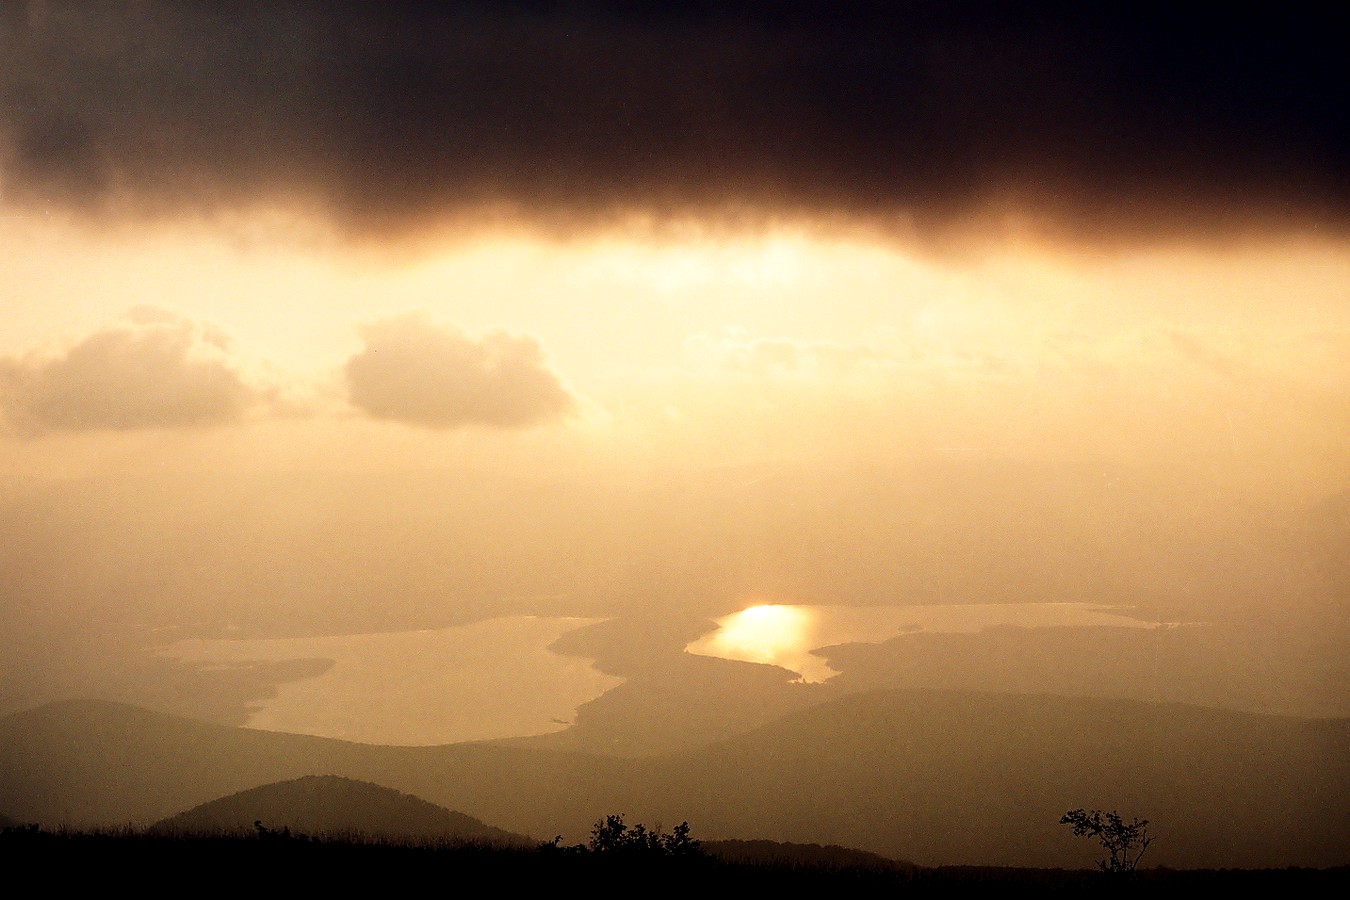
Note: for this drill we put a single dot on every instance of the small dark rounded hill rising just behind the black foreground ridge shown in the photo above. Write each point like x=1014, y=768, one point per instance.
x=331, y=806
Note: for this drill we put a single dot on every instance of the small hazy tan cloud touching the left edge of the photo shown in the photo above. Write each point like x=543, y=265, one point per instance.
x=156, y=370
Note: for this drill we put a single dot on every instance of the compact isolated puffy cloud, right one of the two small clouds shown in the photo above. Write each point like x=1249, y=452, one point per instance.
x=419, y=372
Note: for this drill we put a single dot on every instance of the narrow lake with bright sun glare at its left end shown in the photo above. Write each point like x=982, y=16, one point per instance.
x=788, y=636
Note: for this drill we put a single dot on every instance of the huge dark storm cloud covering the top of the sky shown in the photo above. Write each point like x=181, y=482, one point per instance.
x=1109, y=118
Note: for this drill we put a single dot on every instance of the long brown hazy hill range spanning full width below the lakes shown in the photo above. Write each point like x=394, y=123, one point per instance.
x=934, y=777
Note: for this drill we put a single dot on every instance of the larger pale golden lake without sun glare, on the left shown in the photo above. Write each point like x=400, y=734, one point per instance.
x=485, y=681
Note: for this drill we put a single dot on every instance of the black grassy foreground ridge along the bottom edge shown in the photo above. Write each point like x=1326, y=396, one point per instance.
x=294, y=860
